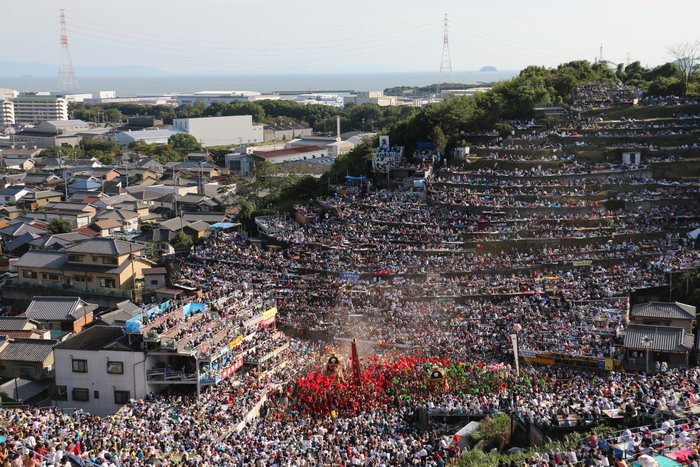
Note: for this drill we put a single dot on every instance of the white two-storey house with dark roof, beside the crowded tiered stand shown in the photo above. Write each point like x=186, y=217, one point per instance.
x=98, y=371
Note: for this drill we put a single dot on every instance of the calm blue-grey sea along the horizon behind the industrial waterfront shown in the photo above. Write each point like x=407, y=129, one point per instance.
x=131, y=86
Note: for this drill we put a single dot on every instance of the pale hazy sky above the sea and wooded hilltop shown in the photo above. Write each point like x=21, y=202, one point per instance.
x=310, y=36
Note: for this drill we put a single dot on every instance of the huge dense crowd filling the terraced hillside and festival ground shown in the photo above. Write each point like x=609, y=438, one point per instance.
x=430, y=282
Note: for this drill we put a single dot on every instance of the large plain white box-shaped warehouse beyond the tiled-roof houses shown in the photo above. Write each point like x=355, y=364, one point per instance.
x=218, y=131
